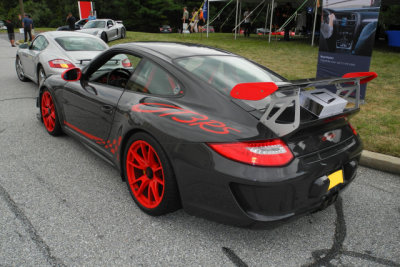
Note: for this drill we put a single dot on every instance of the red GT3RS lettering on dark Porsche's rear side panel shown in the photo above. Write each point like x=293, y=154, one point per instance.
x=184, y=116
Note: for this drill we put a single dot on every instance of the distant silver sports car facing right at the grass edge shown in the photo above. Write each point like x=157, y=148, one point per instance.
x=106, y=29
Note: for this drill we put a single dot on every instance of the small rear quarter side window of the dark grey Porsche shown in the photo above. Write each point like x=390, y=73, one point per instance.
x=152, y=79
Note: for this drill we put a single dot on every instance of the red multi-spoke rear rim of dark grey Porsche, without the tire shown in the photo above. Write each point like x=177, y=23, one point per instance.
x=145, y=174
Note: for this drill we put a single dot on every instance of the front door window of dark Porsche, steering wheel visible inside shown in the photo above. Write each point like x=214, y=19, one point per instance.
x=116, y=71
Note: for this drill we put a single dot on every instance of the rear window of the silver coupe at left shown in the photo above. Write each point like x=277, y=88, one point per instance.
x=81, y=43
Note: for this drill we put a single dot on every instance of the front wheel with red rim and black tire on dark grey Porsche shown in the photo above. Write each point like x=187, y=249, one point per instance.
x=49, y=114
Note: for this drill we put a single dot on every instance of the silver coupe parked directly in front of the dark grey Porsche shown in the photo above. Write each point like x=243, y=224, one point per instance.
x=54, y=52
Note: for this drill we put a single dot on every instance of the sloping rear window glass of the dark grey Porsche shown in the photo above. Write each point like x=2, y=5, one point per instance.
x=224, y=72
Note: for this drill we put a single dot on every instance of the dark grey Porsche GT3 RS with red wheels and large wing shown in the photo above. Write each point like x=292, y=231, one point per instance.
x=215, y=133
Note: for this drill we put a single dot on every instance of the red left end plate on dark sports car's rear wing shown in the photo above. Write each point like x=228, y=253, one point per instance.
x=253, y=91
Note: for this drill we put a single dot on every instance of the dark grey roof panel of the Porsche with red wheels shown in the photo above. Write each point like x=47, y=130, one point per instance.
x=175, y=50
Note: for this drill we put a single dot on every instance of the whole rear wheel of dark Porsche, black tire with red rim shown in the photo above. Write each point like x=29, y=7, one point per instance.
x=155, y=160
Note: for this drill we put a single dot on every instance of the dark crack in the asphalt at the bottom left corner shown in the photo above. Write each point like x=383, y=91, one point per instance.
x=30, y=229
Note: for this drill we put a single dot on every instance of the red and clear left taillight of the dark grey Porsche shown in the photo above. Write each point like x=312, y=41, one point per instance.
x=259, y=153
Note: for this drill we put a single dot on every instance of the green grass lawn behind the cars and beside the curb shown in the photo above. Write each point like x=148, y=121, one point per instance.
x=378, y=122
